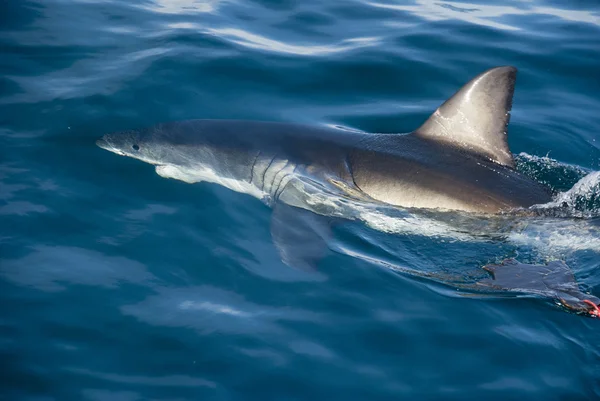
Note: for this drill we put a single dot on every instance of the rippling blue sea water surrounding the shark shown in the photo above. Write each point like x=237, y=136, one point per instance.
x=117, y=284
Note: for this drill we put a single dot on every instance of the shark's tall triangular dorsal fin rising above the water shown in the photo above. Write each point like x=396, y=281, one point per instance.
x=475, y=117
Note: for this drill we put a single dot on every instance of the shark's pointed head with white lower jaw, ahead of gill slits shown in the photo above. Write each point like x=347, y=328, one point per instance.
x=190, y=151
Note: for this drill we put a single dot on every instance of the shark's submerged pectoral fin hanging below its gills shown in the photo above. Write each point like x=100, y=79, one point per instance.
x=299, y=235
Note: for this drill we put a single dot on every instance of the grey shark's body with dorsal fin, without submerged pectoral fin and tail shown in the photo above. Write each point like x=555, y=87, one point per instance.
x=457, y=160
